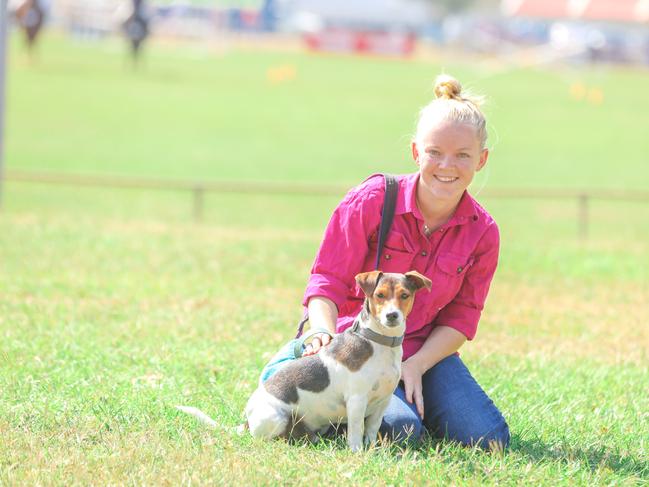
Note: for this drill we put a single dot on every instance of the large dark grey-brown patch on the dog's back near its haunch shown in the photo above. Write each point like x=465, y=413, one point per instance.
x=307, y=373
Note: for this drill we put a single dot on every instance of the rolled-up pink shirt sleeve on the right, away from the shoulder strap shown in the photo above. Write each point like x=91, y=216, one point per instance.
x=463, y=312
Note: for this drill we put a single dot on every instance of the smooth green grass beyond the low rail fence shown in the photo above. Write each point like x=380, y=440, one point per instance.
x=204, y=112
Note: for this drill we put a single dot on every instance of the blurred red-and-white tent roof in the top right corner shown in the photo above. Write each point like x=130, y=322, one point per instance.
x=604, y=10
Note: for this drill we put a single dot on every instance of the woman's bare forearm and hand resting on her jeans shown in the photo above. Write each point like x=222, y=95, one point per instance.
x=442, y=342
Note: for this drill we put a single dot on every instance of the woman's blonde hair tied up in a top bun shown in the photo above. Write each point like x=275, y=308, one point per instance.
x=453, y=105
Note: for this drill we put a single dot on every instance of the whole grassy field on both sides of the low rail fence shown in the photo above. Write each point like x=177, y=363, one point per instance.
x=114, y=306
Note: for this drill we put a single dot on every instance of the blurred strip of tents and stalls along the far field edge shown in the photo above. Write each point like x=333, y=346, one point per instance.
x=578, y=30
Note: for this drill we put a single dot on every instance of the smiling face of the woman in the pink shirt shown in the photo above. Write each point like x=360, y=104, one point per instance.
x=448, y=155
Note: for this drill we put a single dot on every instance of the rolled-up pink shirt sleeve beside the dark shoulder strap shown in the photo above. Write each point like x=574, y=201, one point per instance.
x=344, y=246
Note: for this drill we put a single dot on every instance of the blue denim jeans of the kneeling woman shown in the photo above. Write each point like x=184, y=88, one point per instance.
x=455, y=408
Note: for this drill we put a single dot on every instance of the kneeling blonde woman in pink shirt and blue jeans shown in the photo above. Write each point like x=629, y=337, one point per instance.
x=442, y=232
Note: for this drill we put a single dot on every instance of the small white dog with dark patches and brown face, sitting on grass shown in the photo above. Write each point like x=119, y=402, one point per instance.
x=349, y=381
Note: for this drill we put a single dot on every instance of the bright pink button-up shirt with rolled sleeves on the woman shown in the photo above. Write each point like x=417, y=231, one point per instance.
x=460, y=258
